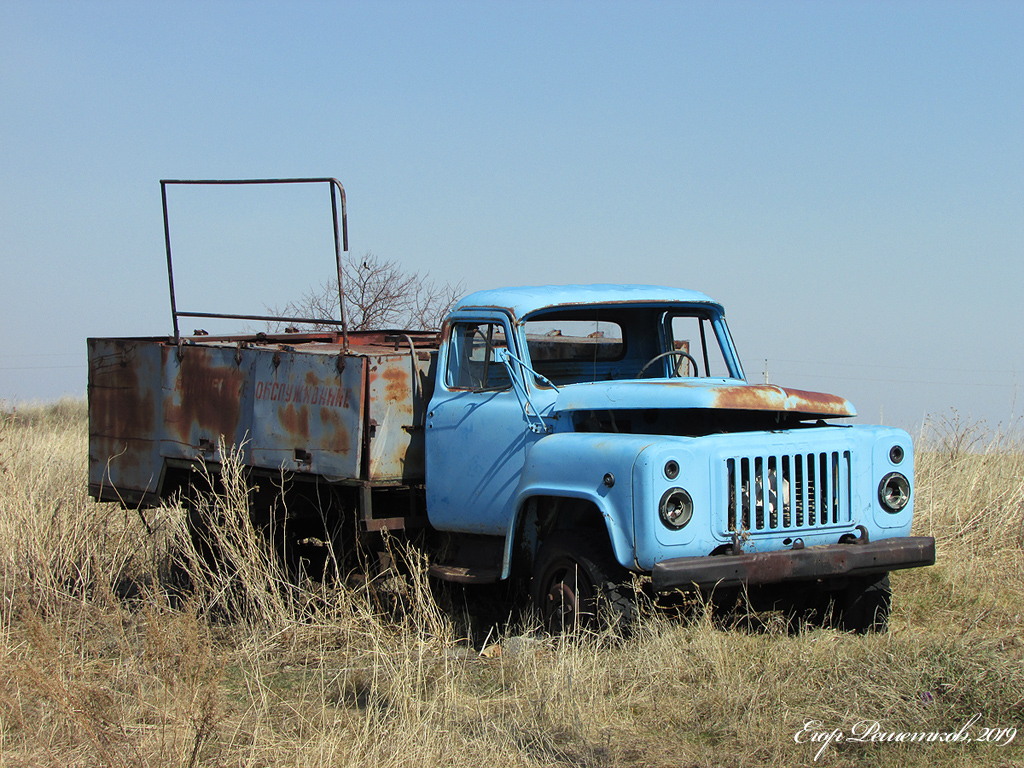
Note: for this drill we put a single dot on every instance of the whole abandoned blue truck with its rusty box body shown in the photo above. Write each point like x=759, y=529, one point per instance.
x=574, y=438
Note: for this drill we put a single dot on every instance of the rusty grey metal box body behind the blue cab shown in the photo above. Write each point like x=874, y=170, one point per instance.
x=284, y=407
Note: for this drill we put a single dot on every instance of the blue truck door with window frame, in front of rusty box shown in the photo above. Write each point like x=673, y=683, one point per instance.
x=478, y=435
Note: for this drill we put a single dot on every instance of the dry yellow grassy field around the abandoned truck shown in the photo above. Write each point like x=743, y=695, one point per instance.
x=105, y=661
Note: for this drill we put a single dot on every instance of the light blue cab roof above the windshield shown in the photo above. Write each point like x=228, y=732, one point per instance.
x=526, y=301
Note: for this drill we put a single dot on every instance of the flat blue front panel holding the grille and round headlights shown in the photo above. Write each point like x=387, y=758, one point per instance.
x=835, y=493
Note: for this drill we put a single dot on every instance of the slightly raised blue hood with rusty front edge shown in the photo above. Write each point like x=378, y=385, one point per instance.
x=703, y=394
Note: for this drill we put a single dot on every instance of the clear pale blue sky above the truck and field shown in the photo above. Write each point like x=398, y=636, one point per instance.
x=846, y=178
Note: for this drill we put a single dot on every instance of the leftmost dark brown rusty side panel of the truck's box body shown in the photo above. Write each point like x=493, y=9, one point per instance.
x=125, y=419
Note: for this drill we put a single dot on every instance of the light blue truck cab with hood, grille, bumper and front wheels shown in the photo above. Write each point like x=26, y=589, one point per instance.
x=586, y=434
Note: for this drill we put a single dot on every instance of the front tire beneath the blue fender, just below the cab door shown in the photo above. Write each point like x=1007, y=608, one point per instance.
x=578, y=584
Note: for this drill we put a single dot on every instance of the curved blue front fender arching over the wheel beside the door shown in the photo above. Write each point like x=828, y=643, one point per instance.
x=575, y=466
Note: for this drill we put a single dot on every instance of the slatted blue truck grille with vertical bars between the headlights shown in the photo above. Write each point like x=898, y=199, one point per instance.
x=797, y=492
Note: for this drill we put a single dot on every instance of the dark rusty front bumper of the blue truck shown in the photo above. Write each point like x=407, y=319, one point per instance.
x=794, y=565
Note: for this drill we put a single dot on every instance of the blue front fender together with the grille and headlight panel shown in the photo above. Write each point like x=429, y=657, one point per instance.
x=572, y=465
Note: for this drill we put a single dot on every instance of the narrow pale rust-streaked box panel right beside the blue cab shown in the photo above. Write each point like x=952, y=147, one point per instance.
x=397, y=415
